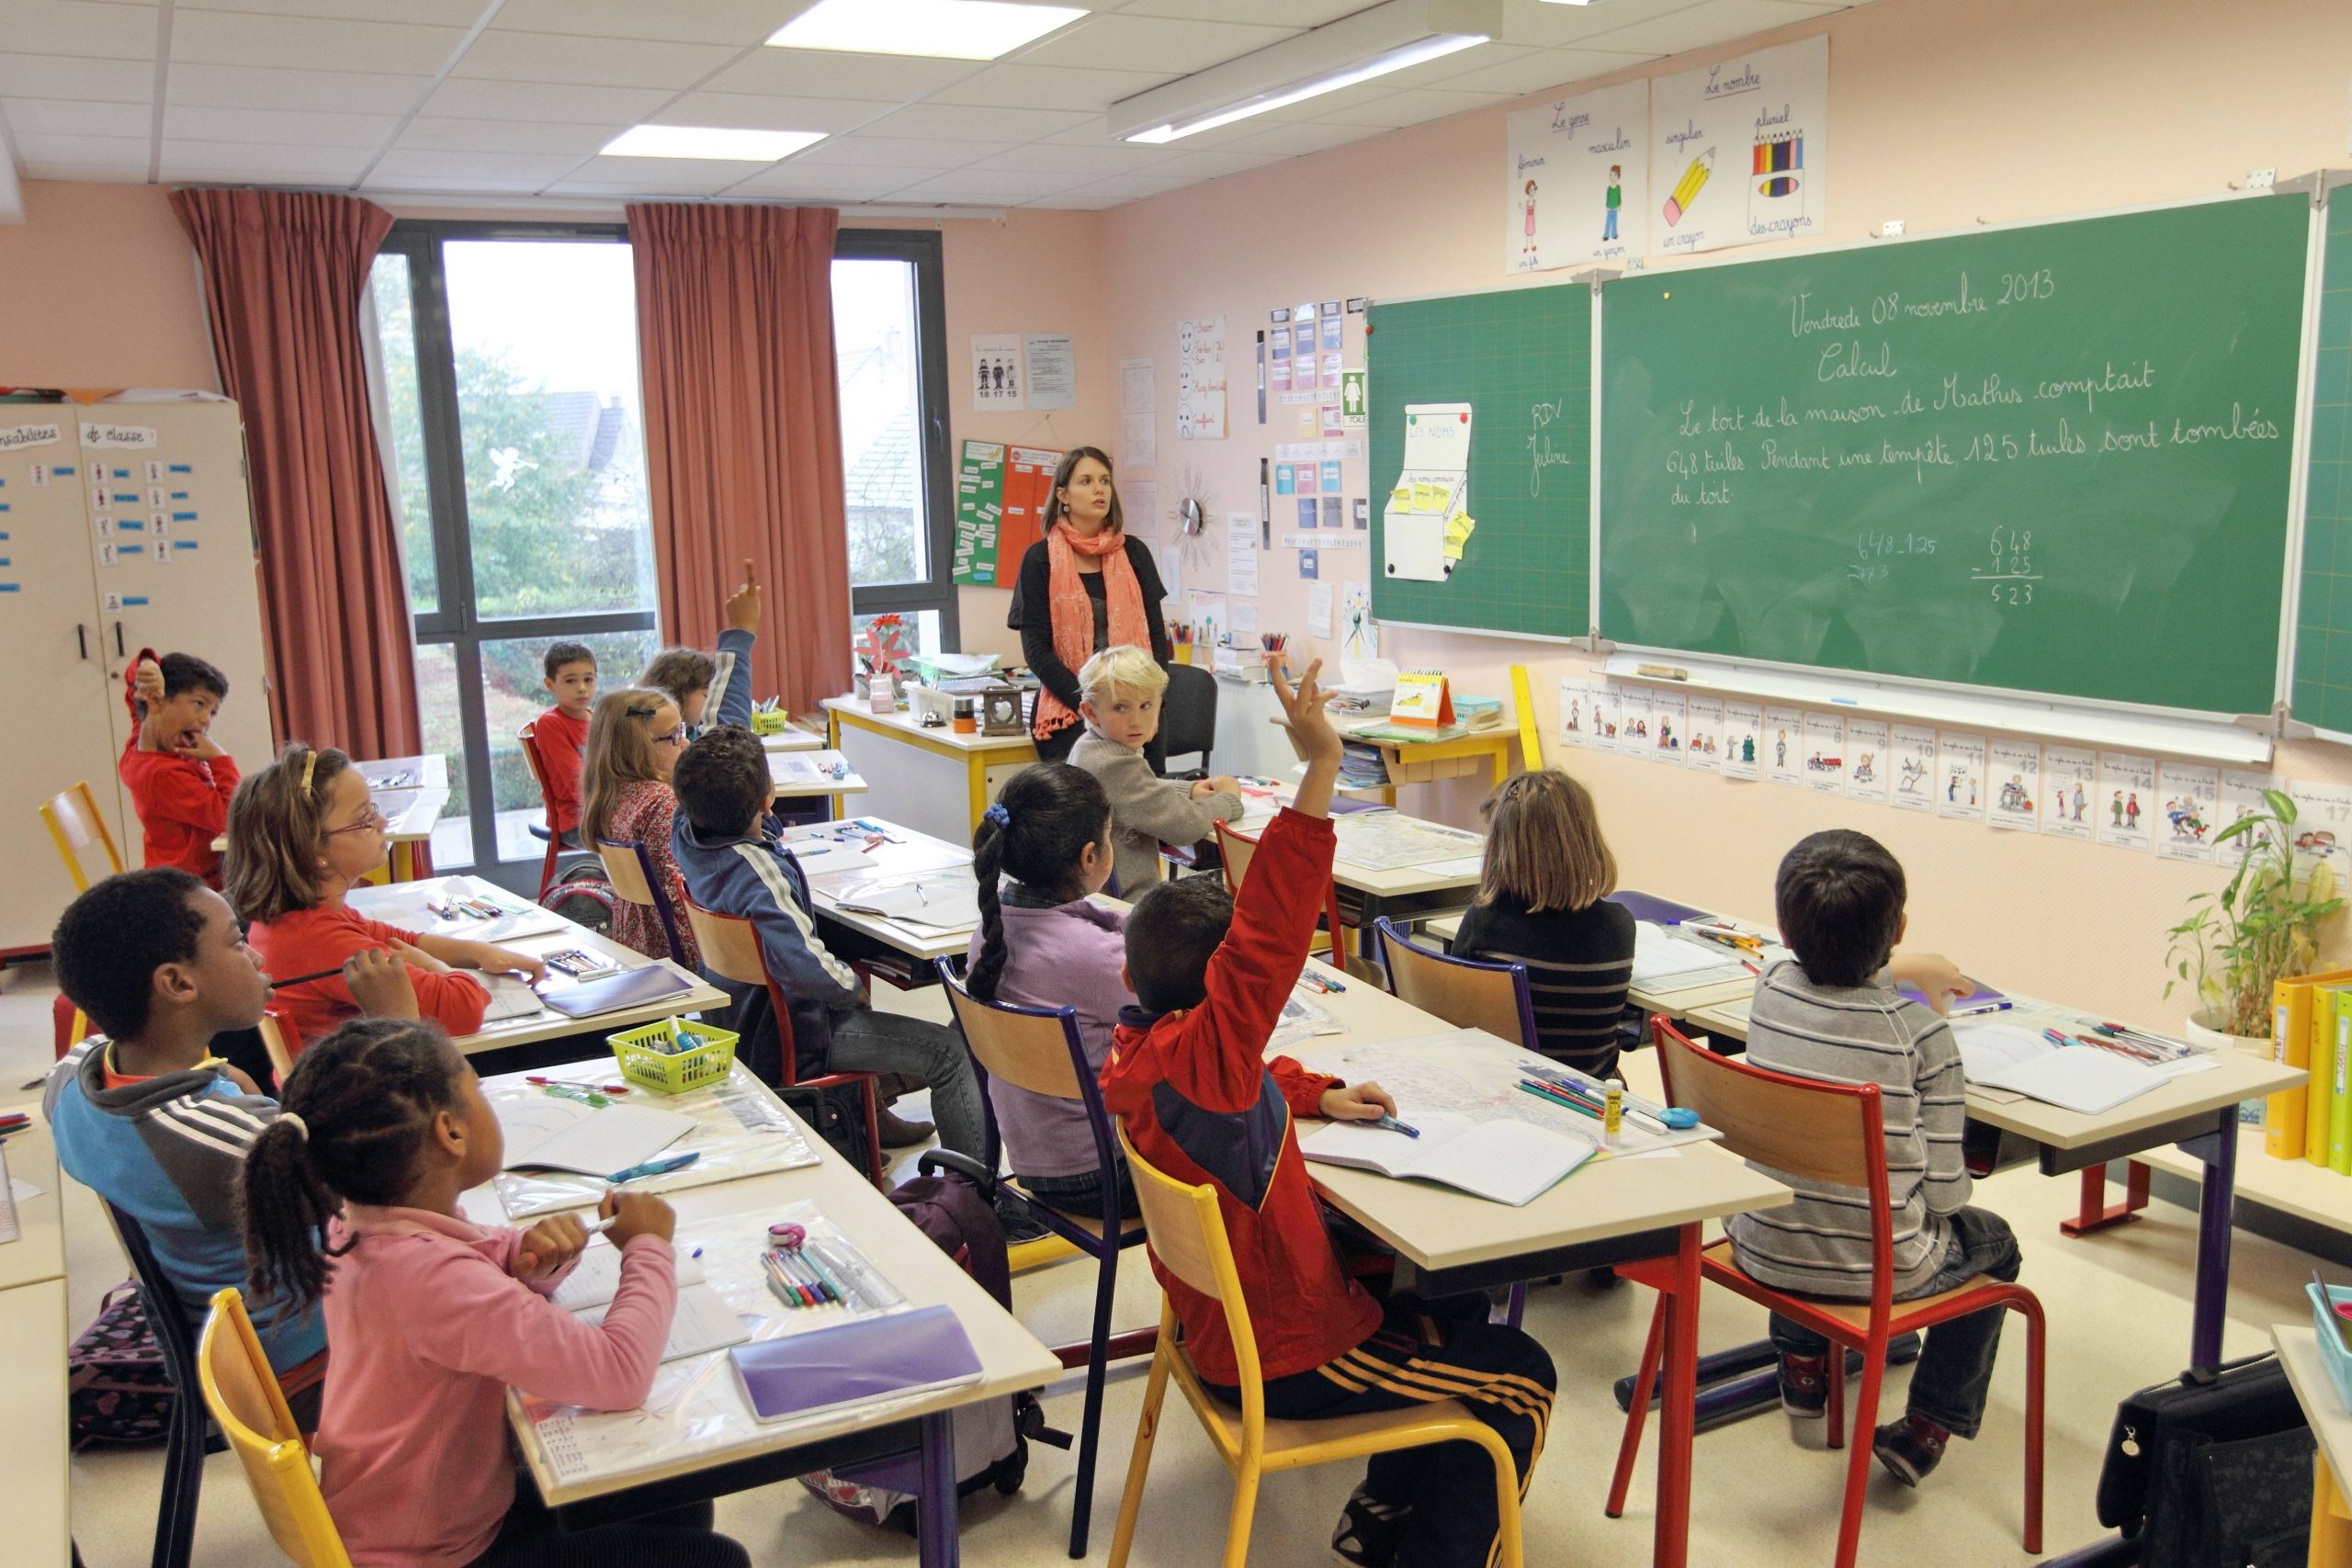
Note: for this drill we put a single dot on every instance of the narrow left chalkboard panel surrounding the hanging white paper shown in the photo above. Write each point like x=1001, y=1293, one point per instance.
x=1523, y=361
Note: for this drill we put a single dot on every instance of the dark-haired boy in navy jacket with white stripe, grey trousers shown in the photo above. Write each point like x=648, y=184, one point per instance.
x=728, y=852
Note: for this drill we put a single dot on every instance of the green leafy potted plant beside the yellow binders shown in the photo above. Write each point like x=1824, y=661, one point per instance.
x=2257, y=930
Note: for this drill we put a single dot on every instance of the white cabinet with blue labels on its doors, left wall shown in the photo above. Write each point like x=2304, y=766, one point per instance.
x=121, y=528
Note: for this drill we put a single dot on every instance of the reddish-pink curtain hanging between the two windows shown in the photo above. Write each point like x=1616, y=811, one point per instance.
x=744, y=431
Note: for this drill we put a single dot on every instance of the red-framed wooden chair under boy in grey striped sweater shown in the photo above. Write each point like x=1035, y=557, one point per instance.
x=1829, y=1134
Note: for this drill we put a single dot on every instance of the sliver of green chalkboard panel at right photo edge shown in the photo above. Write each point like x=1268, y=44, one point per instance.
x=2323, y=690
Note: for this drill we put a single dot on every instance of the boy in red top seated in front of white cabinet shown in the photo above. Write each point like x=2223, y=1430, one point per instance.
x=178, y=777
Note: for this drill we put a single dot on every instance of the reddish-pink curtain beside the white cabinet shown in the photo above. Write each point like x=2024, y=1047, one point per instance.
x=286, y=276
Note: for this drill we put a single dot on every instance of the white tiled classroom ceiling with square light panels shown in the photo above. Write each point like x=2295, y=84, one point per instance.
x=493, y=100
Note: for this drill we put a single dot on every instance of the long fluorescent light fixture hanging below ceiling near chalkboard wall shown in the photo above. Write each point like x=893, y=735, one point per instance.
x=1337, y=55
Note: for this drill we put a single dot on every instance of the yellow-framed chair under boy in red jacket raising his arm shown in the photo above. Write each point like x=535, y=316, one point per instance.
x=1189, y=1240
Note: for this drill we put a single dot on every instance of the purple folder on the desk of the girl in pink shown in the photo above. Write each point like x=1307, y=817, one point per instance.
x=902, y=1353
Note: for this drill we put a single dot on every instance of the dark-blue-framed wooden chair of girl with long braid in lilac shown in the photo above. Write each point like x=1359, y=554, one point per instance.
x=1041, y=1052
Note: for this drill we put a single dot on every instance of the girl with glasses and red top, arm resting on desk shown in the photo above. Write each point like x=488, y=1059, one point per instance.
x=302, y=833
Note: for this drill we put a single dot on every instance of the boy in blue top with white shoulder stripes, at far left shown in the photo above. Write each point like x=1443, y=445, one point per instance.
x=149, y=1118
